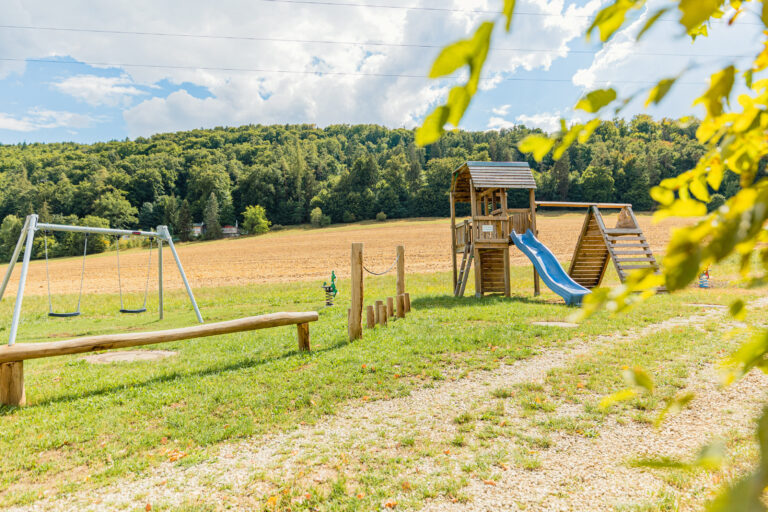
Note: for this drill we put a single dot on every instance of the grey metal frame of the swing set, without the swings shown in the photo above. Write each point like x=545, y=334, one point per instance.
x=31, y=225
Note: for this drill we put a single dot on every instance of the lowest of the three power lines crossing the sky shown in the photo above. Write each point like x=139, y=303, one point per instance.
x=308, y=72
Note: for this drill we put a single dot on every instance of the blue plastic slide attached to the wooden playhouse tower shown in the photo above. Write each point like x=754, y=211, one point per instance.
x=550, y=270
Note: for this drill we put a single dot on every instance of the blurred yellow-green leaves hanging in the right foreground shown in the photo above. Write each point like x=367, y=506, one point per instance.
x=734, y=140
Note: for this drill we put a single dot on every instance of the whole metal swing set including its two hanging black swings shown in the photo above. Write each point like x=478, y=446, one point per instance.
x=31, y=225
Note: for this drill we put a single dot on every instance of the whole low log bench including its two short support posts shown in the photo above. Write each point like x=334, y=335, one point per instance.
x=12, y=357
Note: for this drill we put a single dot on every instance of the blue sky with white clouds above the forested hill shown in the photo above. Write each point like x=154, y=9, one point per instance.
x=88, y=70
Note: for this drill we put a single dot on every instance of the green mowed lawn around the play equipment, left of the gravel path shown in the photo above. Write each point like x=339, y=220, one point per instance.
x=88, y=424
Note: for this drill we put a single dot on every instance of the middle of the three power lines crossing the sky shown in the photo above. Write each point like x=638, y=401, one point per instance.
x=333, y=42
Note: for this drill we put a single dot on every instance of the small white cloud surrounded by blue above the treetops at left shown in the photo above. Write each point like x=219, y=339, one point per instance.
x=99, y=90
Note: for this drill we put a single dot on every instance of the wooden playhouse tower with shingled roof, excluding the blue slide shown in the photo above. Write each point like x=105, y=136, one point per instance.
x=484, y=238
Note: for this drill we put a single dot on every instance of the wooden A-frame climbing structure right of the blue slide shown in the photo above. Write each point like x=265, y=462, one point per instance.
x=625, y=245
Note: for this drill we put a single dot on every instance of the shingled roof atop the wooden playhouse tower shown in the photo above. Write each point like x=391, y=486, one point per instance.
x=490, y=175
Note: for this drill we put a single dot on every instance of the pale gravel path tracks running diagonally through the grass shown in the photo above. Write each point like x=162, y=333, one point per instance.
x=577, y=473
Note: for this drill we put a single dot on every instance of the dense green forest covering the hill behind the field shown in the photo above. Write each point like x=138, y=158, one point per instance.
x=301, y=173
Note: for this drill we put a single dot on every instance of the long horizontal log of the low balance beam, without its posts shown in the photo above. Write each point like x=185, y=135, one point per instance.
x=24, y=351
